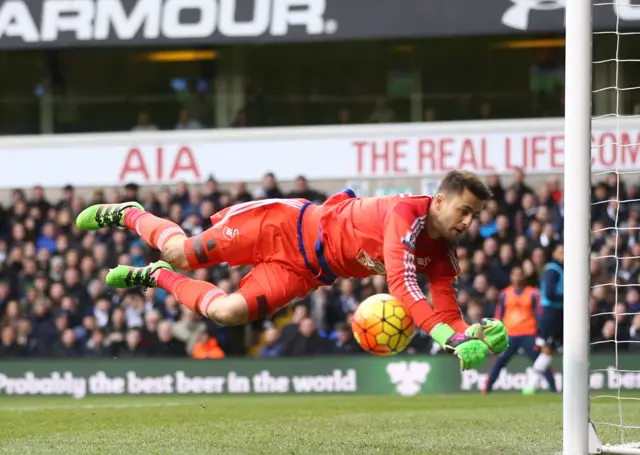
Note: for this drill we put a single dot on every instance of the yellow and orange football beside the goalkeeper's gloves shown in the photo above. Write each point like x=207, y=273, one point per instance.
x=381, y=326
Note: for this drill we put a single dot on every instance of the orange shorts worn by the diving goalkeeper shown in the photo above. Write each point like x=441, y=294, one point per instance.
x=274, y=235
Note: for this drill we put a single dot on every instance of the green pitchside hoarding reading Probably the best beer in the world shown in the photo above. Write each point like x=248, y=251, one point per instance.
x=405, y=376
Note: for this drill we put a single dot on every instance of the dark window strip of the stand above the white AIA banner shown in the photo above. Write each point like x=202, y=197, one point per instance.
x=289, y=84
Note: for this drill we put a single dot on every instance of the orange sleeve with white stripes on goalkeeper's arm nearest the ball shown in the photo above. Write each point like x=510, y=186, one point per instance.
x=404, y=226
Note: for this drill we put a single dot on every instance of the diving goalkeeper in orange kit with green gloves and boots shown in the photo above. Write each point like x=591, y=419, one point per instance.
x=297, y=246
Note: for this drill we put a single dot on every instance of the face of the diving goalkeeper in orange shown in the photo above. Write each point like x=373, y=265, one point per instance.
x=456, y=212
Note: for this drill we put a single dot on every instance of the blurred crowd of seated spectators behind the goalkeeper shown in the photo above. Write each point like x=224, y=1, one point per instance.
x=54, y=301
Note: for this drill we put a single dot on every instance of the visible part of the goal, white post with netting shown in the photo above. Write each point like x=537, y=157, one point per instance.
x=602, y=368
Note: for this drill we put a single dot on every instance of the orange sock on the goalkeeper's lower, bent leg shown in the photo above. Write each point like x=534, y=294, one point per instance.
x=194, y=294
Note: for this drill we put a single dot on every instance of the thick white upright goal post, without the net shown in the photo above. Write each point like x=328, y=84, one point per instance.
x=577, y=208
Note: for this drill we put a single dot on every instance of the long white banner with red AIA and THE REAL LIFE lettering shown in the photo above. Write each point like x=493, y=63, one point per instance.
x=339, y=152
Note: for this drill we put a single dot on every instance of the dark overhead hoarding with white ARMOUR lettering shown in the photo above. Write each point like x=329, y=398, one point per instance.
x=76, y=23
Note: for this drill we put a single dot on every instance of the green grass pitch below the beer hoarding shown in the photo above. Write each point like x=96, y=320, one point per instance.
x=296, y=425
